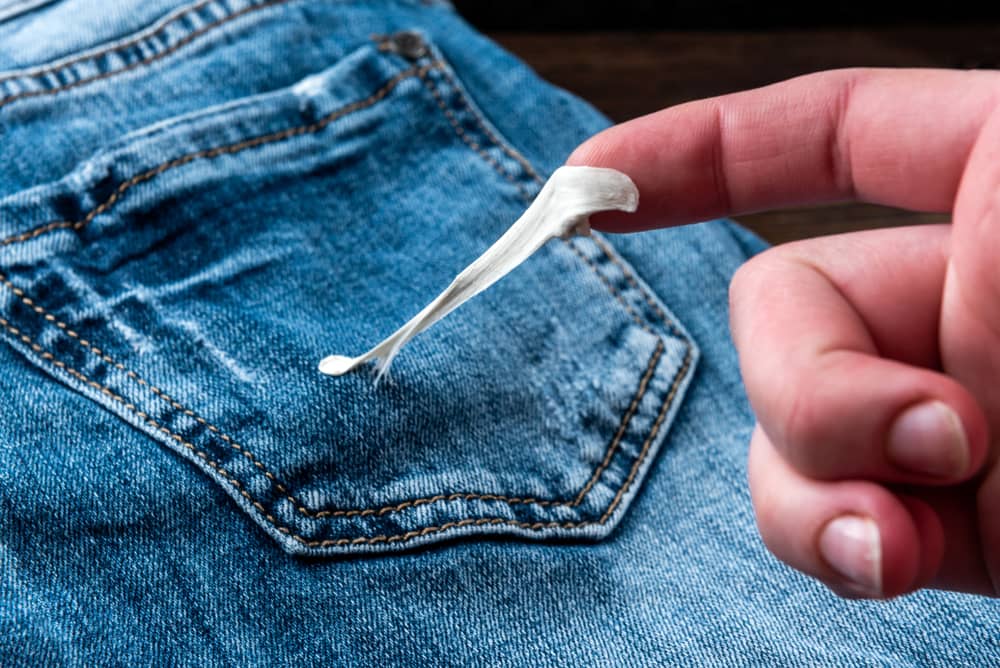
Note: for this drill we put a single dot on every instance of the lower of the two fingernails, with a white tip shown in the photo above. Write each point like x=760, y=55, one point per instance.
x=851, y=546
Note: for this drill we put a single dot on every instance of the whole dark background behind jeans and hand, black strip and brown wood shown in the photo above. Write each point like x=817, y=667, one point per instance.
x=631, y=57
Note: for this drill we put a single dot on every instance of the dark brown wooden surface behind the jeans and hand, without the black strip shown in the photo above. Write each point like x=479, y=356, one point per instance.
x=627, y=74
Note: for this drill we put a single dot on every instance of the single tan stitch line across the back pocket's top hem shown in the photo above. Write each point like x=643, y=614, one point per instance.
x=216, y=151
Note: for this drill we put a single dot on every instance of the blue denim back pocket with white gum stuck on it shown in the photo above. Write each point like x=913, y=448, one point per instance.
x=190, y=278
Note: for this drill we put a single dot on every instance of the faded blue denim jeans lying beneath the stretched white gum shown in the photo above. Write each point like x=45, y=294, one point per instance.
x=199, y=201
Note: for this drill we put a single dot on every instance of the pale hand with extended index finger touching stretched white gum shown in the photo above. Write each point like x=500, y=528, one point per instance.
x=872, y=359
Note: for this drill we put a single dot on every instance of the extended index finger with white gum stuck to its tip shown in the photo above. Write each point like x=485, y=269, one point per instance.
x=894, y=137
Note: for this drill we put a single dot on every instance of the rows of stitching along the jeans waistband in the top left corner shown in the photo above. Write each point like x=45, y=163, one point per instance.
x=184, y=41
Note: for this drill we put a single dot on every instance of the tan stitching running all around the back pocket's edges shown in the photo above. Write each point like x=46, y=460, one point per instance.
x=420, y=72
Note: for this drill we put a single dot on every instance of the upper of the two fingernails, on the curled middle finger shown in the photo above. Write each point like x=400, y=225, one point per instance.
x=929, y=439
